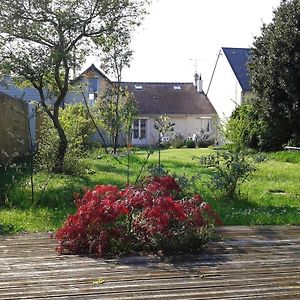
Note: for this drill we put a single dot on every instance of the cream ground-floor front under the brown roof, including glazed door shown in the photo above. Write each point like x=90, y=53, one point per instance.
x=187, y=125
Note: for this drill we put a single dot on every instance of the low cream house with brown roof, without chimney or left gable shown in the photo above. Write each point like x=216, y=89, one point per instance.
x=188, y=108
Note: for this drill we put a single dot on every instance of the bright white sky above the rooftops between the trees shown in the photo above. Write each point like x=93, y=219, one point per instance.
x=179, y=37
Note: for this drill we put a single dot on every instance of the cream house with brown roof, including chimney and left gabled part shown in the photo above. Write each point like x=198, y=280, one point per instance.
x=184, y=103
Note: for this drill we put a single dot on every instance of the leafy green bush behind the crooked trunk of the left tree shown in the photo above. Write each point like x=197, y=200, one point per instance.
x=78, y=128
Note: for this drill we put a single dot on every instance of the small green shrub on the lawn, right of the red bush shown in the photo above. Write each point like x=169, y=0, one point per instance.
x=229, y=171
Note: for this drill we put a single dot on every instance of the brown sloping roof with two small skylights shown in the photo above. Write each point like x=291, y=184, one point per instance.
x=169, y=98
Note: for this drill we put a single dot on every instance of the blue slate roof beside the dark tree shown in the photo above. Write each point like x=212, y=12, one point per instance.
x=238, y=58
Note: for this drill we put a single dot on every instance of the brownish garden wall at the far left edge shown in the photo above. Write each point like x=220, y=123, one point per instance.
x=14, y=131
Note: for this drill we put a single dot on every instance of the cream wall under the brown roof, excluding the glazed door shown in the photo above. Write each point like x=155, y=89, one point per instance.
x=186, y=125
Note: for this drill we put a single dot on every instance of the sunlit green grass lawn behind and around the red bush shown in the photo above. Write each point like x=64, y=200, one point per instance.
x=272, y=196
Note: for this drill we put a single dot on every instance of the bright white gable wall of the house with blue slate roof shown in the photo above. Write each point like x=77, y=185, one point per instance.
x=225, y=92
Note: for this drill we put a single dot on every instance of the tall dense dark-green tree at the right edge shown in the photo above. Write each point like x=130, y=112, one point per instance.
x=275, y=75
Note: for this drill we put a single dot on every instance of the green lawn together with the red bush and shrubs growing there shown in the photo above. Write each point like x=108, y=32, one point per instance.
x=127, y=202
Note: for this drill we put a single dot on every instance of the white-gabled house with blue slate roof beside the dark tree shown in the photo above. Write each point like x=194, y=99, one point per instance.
x=230, y=81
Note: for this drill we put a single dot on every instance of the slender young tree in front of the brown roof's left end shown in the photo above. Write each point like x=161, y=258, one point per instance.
x=117, y=107
